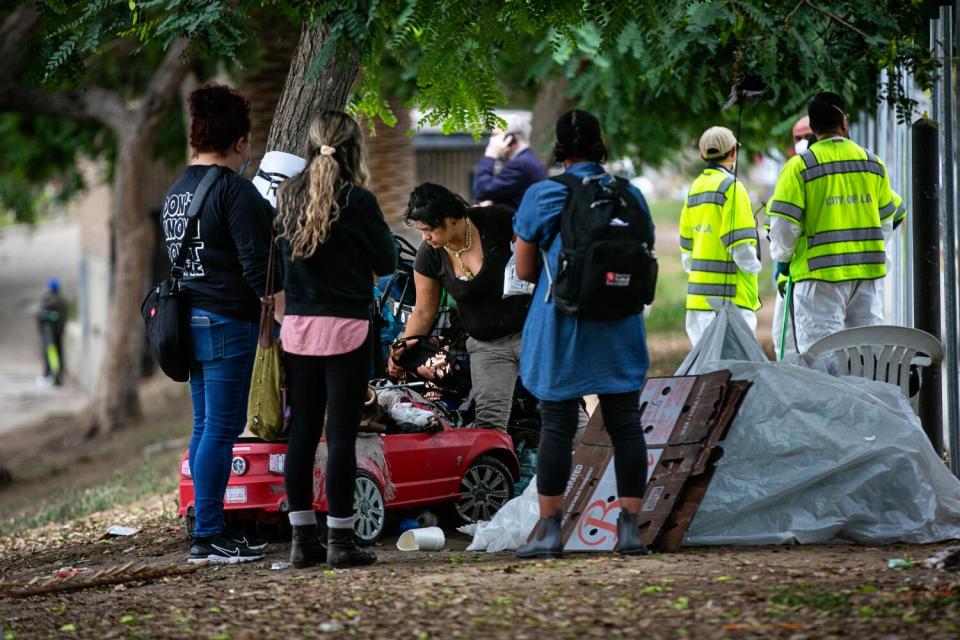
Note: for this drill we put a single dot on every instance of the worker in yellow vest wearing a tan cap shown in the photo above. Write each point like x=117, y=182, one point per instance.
x=718, y=237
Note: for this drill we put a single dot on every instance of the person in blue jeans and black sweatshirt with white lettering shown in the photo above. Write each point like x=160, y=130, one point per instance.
x=223, y=276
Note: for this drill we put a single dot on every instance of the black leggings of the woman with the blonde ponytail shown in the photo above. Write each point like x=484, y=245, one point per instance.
x=336, y=385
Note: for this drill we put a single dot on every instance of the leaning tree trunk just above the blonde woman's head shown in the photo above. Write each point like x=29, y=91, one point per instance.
x=300, y=103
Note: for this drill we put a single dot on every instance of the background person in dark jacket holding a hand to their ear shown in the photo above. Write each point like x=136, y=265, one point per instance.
x=521, y=167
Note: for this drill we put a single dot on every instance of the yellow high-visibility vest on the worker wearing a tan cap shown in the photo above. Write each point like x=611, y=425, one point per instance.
x=716, y=217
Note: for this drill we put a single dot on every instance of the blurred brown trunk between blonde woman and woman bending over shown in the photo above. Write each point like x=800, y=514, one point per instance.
x=393, y=165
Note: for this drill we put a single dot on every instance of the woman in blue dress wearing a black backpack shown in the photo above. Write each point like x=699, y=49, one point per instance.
x=584, y=333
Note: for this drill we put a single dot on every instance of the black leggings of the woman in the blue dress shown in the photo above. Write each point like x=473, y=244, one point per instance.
x=621, y=416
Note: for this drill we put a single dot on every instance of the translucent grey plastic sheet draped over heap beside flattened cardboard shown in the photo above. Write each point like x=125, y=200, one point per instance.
x=813, y=458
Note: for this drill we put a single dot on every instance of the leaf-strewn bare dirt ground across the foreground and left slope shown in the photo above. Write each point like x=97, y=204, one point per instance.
x=760, y=592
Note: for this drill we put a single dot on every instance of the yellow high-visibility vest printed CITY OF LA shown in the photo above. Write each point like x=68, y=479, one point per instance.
x=839, y=194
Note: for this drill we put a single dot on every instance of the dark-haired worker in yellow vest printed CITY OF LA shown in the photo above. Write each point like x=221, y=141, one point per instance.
x=831, y=213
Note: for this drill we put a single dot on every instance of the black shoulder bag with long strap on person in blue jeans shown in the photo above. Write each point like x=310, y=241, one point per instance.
x=163, y=313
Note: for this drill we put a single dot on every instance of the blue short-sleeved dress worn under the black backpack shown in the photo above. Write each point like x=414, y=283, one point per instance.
x=563, y=357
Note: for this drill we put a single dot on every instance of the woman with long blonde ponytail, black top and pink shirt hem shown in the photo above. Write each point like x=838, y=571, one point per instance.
x=333, y=240
